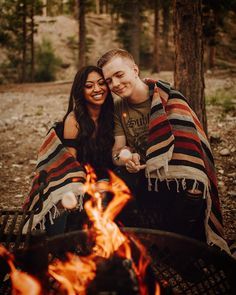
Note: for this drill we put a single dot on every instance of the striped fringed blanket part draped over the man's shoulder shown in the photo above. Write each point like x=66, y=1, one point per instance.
x=178, y=149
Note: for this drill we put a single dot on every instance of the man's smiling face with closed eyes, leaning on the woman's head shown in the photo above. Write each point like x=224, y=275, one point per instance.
x=121, y=76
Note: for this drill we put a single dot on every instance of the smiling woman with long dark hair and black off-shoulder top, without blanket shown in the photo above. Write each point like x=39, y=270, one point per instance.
x=88, y=123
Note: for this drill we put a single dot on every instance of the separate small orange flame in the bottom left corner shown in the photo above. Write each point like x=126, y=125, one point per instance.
x=22, y=283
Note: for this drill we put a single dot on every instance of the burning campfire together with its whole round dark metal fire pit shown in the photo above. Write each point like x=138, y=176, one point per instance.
x=106, y=259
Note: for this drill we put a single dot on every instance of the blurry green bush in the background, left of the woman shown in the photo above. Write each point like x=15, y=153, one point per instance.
x=46, y=63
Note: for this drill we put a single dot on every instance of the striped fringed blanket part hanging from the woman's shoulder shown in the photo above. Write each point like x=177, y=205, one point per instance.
x=61, y=173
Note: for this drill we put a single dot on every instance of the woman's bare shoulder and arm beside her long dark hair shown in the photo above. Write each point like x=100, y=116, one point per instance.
x=71, y=130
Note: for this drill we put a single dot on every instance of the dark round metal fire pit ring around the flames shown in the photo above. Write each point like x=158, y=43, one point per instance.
x=188, y=266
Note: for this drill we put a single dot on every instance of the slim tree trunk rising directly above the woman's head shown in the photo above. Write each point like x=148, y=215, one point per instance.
x=82, y=33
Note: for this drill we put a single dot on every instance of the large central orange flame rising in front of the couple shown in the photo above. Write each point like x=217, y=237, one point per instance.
x=75, y=274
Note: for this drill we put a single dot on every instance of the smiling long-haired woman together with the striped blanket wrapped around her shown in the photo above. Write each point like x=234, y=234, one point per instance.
x=85, y=136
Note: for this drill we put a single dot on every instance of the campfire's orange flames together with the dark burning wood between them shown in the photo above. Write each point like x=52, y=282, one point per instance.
x=111, y=249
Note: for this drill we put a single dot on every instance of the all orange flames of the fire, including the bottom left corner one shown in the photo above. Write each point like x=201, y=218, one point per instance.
x=75, y=274
